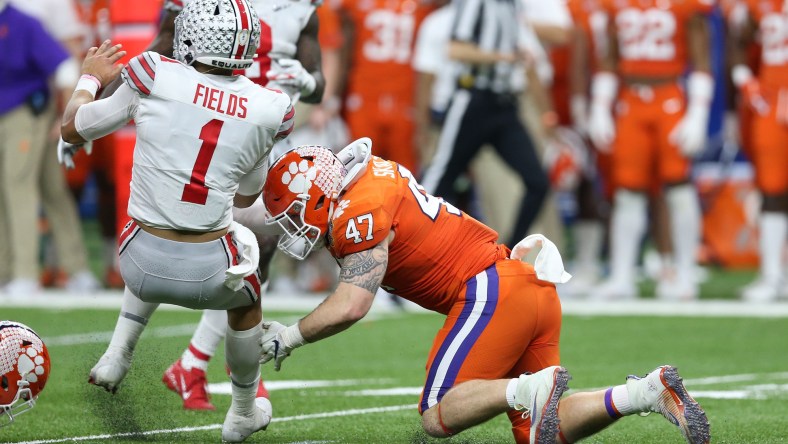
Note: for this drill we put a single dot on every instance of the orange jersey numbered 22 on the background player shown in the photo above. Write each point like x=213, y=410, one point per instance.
x=652, y=34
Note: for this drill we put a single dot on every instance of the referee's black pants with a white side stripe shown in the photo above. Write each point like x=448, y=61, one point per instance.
x=478, y=117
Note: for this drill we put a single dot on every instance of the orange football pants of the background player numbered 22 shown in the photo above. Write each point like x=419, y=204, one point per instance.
x=642, y=154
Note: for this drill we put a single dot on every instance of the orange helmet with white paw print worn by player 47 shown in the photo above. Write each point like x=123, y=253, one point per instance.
x=299, y=195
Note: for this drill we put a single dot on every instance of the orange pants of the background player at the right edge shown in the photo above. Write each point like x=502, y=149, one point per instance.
x=769, y=139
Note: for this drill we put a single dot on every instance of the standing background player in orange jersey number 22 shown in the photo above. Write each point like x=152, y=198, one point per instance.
x=658, y=128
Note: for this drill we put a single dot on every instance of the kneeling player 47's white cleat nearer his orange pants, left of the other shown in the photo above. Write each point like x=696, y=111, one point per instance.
x=537, y=395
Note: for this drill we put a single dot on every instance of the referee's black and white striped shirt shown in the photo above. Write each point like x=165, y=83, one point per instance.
x=493, y=26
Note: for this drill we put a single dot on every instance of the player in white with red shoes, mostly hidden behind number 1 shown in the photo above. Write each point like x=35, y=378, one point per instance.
x=288, y=59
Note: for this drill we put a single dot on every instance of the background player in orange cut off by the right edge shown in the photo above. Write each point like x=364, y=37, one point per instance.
x=767, y=96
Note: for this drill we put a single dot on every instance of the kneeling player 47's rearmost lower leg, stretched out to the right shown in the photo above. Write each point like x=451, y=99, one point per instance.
x=662, y=391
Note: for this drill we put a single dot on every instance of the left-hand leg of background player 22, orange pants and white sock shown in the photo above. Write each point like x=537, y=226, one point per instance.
x=632, y=157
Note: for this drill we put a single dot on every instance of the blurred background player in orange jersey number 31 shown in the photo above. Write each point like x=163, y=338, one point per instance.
x=380, y=82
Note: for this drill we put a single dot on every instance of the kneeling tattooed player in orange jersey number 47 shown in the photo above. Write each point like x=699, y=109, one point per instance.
x=498, y=351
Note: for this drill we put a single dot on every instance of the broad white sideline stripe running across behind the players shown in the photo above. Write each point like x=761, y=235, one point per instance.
x=304, y=302
